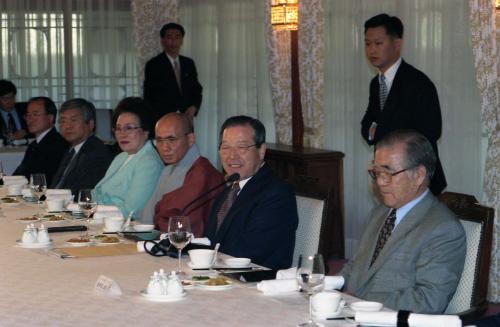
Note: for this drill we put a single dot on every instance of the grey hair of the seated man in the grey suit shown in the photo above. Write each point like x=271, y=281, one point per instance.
x=418, y=152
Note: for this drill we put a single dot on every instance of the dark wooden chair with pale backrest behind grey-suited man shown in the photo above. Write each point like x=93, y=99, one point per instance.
x=470, y=298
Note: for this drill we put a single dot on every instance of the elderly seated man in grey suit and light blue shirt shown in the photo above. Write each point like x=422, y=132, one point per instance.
x=412, y=251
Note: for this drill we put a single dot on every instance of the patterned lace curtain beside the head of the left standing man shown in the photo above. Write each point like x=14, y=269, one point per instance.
x=148, y=18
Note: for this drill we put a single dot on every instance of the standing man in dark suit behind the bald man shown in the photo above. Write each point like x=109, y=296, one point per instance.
x=171, y=80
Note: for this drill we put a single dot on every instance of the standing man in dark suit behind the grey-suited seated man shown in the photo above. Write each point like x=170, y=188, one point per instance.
x=401, y=97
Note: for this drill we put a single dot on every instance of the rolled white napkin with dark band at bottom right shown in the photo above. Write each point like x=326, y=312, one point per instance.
x=414, y=320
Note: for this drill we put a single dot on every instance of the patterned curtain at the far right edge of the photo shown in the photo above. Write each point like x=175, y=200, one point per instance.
x=485, y=40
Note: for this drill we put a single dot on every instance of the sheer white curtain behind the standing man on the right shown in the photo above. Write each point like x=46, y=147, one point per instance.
x=437, y=41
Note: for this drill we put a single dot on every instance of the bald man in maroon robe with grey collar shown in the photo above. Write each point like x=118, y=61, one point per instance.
x=186, y=176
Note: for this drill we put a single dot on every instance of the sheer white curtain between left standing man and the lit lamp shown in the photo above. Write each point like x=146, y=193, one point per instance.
x=226, y=39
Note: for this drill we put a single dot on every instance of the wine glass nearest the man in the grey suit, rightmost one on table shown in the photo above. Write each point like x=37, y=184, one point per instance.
x=310, y=275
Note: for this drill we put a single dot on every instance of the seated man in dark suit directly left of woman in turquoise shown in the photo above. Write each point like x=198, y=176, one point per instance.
x=87, y=160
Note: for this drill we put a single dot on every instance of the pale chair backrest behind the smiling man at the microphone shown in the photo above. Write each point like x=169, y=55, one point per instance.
x=311, y=213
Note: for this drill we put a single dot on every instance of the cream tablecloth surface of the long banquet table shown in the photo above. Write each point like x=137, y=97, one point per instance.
x=38, y=288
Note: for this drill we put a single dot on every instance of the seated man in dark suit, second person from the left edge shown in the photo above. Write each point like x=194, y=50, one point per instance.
x=44, y=154
